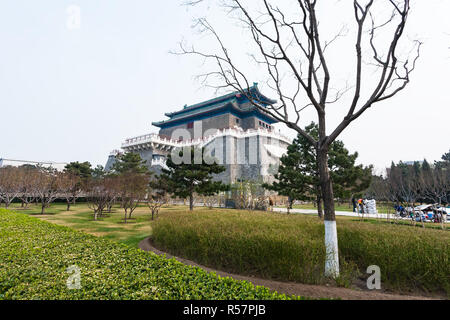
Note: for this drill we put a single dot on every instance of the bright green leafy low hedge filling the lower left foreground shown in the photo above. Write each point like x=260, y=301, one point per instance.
x=34, y=257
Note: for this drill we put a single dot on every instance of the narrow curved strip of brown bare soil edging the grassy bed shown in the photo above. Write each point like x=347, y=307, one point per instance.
x=294, y=288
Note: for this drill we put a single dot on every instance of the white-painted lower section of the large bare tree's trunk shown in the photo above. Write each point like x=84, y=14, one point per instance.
x=331, y=245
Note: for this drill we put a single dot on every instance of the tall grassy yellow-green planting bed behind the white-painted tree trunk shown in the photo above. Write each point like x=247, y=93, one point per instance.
x=291, y=247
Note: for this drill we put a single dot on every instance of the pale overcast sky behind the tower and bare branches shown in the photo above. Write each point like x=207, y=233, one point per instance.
x=70, y=93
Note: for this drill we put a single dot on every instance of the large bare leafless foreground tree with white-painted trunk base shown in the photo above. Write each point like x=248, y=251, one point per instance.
x=290, y=45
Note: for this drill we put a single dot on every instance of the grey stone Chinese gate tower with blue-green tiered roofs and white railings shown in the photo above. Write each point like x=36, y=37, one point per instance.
x=239, y=134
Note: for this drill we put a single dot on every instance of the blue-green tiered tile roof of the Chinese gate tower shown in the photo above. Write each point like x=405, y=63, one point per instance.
x=235, y=103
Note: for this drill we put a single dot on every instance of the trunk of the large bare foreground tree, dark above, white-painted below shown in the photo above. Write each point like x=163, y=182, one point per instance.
x=331, y=242
